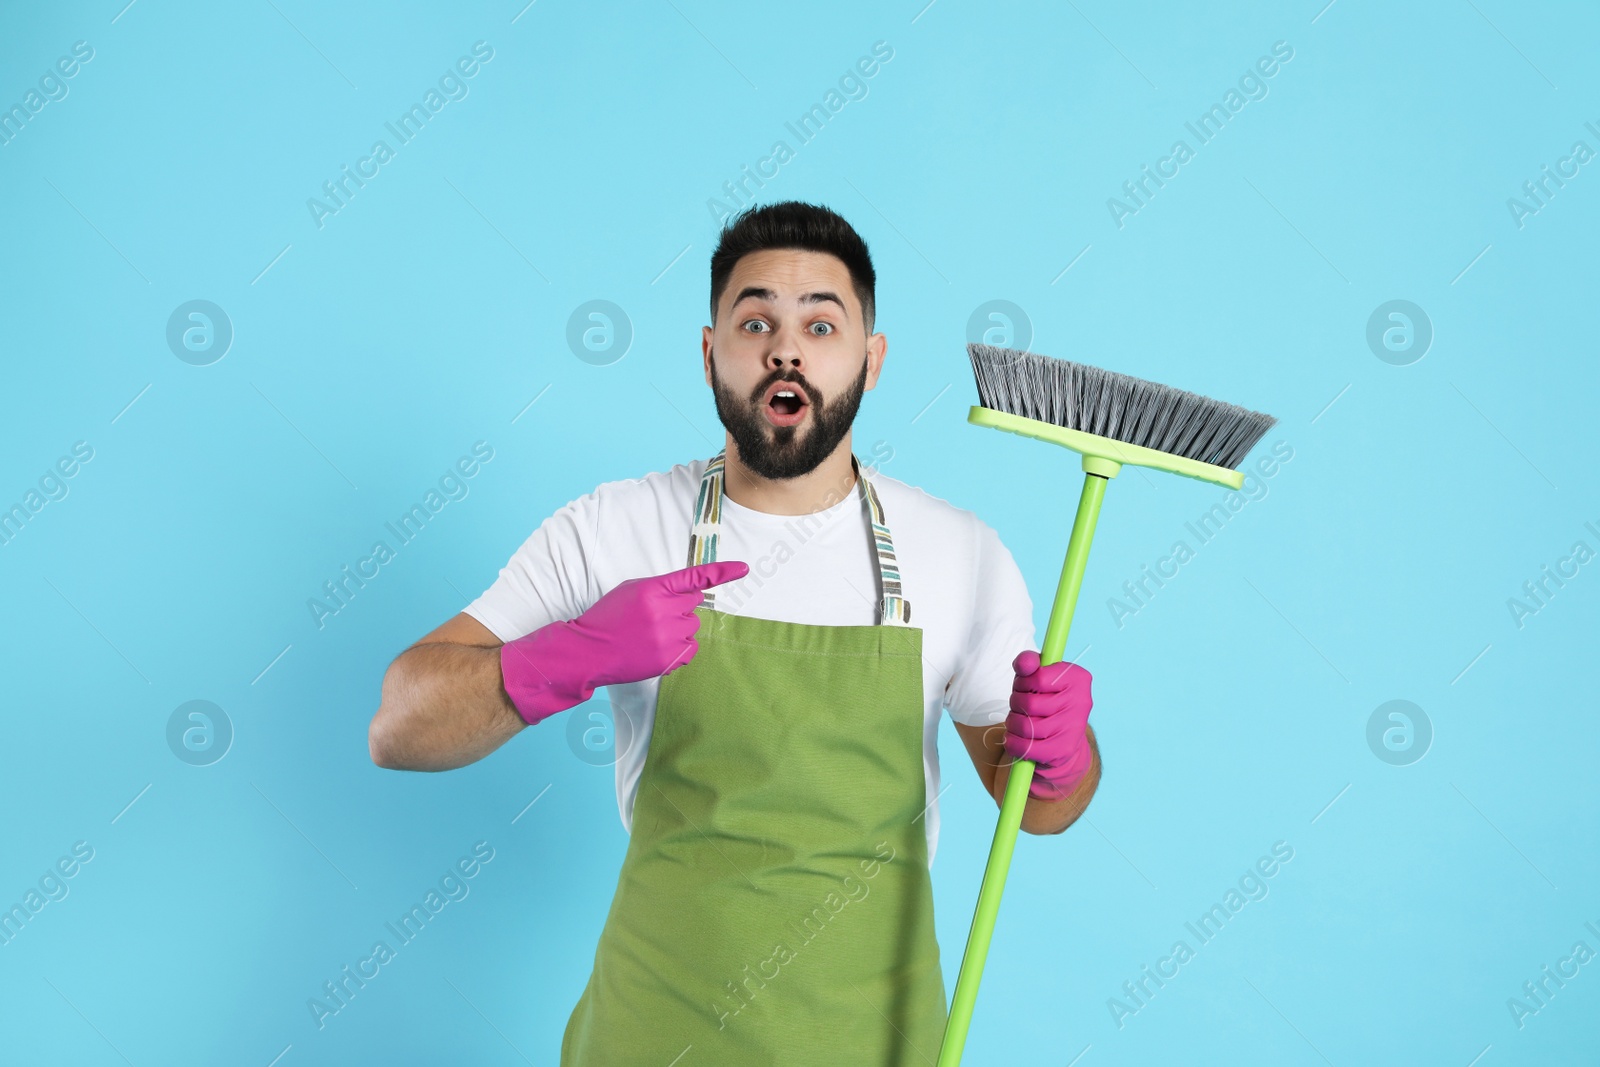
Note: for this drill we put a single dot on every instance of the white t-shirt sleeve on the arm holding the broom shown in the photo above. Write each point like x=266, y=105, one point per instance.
x=1002, y=613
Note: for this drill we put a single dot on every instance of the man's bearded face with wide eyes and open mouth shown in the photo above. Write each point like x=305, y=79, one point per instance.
x=790, y=321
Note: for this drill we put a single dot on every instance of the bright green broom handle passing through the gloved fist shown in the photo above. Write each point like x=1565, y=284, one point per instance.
x=1022, y=778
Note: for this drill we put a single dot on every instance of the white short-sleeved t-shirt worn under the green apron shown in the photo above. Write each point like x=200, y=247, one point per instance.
x=966, y=591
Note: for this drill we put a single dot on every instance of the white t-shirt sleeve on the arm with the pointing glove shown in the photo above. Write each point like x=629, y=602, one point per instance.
x=550, y=578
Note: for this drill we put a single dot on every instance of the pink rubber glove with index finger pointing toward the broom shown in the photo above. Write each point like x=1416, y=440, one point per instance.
x=642, y=629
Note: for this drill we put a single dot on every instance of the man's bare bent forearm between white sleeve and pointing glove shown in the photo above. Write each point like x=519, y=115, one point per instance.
x=444, y=706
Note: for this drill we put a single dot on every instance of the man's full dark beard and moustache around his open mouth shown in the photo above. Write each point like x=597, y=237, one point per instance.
x=786, y=452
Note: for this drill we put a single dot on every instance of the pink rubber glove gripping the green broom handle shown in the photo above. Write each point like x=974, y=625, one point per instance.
x=1050, y=711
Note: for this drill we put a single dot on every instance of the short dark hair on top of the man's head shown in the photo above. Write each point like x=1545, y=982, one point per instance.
x=794, y=225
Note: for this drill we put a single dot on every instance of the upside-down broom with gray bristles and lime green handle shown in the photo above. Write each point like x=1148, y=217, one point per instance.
x=1113, y=420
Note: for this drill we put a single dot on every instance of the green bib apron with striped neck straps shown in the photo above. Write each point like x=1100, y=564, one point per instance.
x=775, y=905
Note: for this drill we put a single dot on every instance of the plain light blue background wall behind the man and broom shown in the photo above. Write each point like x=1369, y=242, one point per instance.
x=428, y=314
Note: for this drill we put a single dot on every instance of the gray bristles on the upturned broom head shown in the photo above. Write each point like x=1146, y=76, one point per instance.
x=1114, y=406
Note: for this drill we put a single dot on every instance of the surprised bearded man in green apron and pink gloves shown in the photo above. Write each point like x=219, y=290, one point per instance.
x=782, y=781
